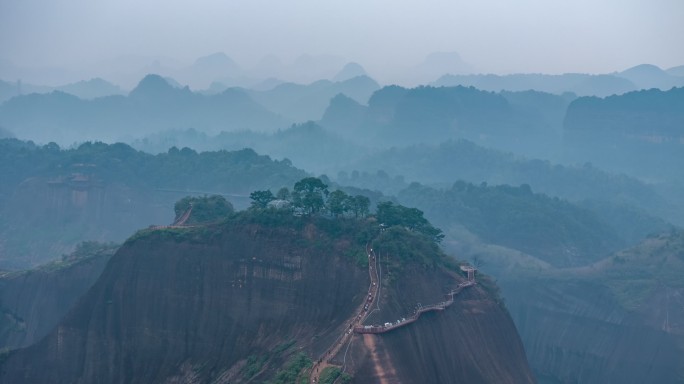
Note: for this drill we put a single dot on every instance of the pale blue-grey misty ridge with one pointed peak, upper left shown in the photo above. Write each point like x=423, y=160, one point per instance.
x=152, y=106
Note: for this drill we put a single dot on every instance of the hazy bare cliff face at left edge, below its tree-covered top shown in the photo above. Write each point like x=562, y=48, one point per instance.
x=44, y=217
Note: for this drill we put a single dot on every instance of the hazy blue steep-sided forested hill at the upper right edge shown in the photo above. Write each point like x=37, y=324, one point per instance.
x=639, y=132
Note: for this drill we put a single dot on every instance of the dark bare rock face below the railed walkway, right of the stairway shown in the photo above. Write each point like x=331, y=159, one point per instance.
x=454, y=346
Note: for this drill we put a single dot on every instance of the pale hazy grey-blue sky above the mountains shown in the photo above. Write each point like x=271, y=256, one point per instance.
x=499, y=36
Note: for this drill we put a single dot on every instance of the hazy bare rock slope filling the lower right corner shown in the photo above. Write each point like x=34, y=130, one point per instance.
x=576, y=332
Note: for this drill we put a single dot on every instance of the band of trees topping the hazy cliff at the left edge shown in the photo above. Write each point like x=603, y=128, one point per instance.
x=221, y=171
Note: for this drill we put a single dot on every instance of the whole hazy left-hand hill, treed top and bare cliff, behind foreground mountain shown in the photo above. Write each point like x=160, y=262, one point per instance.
x=51, y=199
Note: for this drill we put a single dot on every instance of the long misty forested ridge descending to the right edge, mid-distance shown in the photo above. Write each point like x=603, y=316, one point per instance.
x=472, y=163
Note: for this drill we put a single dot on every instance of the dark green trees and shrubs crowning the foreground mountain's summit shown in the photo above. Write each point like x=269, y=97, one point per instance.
x=393, y=228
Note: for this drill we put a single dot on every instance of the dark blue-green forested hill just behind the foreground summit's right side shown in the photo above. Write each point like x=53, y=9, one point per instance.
x=549, y=228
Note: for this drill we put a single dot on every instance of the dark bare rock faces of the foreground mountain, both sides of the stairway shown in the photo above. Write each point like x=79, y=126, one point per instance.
x=234, y=302
